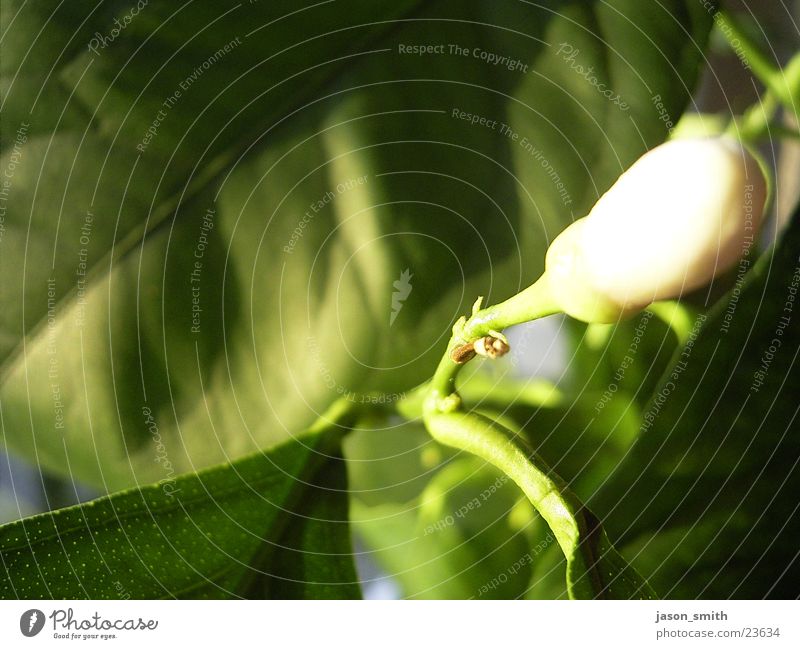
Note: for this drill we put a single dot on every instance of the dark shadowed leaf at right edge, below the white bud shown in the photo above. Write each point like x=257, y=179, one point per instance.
x=706, y=499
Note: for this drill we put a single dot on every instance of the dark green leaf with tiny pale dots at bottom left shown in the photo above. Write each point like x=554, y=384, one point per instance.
x=272, y=525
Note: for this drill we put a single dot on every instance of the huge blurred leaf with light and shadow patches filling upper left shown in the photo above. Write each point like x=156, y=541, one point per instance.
x=274, y=125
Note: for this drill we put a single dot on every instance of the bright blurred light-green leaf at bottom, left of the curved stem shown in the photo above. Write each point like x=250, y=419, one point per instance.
x=456, y=540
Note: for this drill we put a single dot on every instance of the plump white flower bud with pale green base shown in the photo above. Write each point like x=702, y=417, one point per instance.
x=681, y=215
